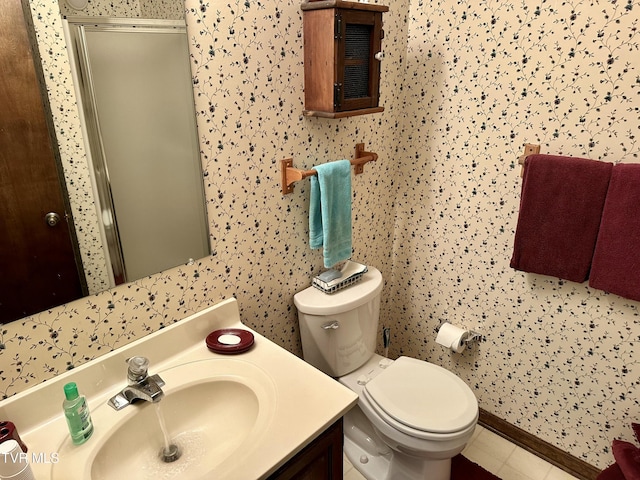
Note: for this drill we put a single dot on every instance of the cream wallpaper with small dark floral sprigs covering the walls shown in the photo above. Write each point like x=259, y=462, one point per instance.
x=464, y=88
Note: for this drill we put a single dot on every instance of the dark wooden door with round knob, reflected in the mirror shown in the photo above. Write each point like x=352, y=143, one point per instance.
x=37, y=263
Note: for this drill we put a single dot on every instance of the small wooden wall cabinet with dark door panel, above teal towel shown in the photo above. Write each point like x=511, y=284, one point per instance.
x=342, y=54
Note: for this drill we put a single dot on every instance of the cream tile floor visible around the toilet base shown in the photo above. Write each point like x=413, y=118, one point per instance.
x=498, y=456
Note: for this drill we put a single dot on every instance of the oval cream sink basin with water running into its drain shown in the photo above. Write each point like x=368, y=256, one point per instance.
x=215, y=411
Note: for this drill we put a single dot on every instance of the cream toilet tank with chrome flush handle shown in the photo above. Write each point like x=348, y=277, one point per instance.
x=338, y=331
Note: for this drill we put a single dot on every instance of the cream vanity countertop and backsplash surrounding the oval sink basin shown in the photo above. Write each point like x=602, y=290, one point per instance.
x=307, y=400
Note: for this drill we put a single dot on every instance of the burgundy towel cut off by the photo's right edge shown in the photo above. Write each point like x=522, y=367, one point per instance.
x=616, y=260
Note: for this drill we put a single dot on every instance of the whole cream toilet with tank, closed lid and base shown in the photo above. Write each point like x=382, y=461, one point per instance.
x=412, y=416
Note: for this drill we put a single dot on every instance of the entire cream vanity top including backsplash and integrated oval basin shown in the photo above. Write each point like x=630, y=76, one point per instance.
x=236, y=417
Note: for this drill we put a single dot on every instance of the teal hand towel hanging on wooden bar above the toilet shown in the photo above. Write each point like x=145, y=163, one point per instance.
x=330, y=211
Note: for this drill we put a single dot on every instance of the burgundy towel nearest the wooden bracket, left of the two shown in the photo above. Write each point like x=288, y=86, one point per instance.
x=560, y=209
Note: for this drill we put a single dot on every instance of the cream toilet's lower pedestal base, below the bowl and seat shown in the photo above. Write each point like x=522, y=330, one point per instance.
x=376, y=461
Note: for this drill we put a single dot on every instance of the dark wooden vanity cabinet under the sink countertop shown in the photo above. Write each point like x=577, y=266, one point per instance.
x=320, y=460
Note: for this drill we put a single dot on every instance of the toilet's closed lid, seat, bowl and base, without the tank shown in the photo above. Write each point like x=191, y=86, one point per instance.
x=423, y=413
